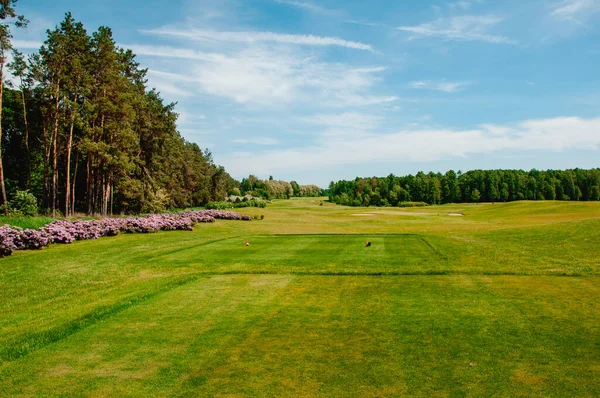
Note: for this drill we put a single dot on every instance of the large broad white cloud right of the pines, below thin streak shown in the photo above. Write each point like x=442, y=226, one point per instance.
x=265, y=76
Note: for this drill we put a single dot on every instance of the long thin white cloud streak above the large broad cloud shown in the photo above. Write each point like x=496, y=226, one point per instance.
x=256, y=37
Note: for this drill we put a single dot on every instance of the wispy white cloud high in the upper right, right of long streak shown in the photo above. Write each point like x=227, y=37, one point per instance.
x=462, y=28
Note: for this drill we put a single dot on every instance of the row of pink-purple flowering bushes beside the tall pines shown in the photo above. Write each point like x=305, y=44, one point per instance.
x=65, y=231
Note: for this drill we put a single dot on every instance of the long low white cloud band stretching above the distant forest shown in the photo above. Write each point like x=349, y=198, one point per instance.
x=361, y=144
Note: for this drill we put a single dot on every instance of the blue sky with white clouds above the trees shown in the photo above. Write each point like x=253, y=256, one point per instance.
x=318, y=91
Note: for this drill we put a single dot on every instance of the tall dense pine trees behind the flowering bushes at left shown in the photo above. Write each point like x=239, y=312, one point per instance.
x=81, y=130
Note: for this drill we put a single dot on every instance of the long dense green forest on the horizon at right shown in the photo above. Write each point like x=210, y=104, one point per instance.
x=470, y=187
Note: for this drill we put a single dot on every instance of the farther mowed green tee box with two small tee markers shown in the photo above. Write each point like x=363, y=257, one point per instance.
x=308, y=254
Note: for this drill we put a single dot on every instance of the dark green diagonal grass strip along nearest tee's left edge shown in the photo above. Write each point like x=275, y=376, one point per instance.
x=28, y=343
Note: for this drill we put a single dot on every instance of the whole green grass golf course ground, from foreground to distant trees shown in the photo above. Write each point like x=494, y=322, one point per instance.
x=503, y=301
